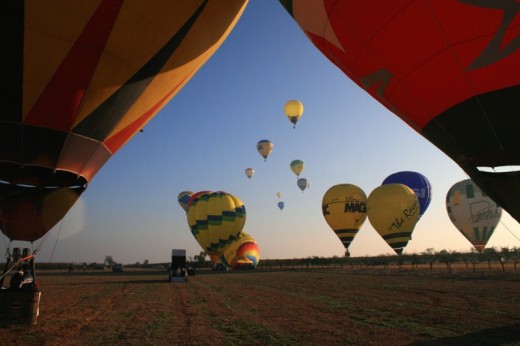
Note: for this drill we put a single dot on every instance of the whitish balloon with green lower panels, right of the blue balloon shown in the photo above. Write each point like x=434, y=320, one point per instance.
x=473, y=213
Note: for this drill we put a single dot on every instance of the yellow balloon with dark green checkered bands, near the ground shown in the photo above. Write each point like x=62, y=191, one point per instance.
x=215, y=220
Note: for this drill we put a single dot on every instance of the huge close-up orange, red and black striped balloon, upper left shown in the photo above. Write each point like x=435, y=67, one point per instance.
x=81, y=78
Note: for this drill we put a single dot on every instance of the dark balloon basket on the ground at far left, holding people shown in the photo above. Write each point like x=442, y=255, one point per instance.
x=19, y=307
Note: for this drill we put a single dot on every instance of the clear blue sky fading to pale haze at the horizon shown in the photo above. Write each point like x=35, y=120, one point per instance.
x=206, y=137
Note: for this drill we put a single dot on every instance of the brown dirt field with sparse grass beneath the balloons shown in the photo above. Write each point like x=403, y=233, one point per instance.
x=276, y=307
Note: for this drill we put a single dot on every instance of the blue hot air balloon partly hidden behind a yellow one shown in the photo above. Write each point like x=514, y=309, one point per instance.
x=415, y=181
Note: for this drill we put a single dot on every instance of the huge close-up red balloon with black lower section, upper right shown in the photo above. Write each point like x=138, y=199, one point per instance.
x=449, y=69
